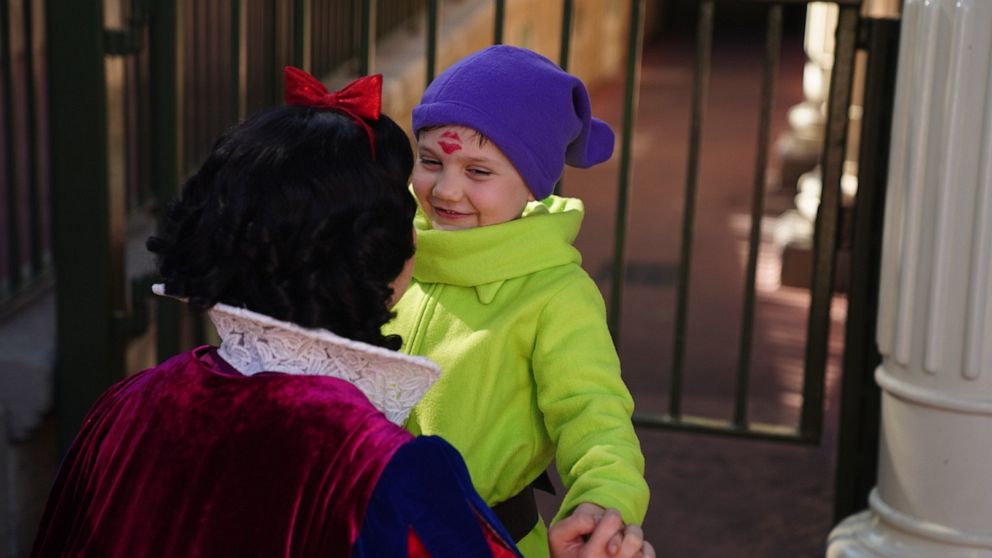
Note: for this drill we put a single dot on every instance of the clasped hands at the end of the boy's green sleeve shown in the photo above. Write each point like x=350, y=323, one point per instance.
x=587, y=534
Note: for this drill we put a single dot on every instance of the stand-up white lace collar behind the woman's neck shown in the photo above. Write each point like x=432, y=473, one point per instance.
x=253, y=343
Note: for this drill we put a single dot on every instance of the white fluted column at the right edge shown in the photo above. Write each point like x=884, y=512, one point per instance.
x=934, y=492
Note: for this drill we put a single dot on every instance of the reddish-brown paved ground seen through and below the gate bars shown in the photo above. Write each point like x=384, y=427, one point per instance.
x=711, y=496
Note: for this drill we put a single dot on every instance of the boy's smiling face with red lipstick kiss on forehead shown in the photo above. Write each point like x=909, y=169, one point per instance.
x=462, y=182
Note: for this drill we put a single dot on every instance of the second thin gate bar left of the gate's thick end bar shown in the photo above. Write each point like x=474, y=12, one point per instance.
x=700, y=84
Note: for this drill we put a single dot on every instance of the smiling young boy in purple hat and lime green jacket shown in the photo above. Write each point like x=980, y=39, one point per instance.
x=499, y=300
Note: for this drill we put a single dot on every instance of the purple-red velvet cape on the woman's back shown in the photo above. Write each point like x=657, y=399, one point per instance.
x=191, y=458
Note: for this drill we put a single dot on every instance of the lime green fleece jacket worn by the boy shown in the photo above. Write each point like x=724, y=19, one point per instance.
x=529, y=370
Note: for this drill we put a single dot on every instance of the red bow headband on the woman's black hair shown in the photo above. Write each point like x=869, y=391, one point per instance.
x=361, y=99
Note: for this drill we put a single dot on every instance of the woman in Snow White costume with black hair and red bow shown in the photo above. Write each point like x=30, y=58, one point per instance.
x=296, y=236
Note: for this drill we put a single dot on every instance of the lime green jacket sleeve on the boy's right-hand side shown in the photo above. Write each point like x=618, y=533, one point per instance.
x=587, y=407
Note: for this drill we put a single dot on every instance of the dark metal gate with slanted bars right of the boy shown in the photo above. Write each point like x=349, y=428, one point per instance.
x=825, y=236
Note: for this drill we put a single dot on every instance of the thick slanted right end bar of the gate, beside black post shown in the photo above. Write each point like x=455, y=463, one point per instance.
x=827, y=223
